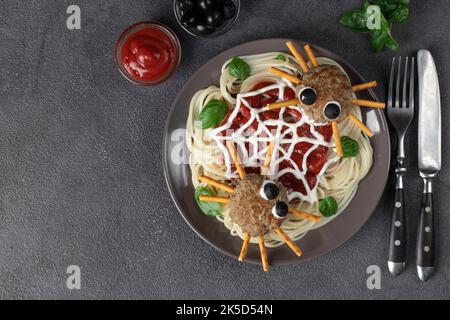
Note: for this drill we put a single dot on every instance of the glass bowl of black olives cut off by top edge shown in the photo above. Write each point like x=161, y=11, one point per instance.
x=206, y=18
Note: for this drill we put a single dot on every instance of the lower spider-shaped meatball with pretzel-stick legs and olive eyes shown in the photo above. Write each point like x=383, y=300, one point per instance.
x=258, y=205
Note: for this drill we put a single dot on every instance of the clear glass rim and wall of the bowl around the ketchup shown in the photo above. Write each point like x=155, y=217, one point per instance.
x=139, y=26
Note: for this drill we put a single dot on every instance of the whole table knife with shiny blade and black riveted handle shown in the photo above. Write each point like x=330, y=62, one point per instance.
x=429, y=158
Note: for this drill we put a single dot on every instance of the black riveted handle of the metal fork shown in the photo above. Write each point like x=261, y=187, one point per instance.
x=397, y=234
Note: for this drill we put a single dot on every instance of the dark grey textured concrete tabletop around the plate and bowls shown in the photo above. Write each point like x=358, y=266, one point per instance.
x=80, y=159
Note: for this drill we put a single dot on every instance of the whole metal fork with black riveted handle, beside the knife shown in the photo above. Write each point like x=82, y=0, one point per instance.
x=400, y=116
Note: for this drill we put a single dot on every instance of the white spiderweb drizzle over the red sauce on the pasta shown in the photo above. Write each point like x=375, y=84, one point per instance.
x=256, y=157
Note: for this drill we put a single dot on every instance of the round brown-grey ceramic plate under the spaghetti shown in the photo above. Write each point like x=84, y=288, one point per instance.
x=317, y=242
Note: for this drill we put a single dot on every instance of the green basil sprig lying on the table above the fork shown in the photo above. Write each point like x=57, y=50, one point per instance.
x=392, y=11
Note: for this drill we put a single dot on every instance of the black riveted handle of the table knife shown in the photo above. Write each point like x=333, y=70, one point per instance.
x=425, y=233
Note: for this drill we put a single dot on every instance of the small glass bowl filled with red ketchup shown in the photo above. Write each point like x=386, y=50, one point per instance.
x=147, y=53
